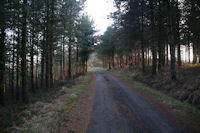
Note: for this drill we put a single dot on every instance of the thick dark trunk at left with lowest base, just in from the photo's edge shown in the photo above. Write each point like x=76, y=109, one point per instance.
x=24, y=51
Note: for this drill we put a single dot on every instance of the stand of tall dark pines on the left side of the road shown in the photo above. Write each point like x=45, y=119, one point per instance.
x=41, y=43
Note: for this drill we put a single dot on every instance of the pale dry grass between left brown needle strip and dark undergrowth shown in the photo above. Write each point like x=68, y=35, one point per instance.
x=44, y=115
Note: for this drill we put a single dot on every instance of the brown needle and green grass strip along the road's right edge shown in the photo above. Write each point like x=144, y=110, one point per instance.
x=184, y=116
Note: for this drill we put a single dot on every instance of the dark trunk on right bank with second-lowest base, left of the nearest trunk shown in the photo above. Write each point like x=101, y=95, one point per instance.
x=154, y=65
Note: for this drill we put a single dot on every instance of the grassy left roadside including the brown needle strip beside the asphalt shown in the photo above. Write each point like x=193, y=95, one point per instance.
x=65, y=110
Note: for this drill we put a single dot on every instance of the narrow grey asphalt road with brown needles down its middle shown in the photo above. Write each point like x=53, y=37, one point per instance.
x=119, y=109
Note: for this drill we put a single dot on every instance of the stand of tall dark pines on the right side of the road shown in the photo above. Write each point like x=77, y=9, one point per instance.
x=151, y=32
